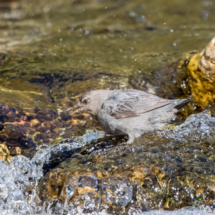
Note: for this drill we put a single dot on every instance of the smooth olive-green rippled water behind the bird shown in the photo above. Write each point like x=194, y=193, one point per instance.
x=52, y=50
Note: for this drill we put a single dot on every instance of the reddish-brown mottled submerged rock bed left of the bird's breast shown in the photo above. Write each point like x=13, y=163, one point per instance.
x=30, y=128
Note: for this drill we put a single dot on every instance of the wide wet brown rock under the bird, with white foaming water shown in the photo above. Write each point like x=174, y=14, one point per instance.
x=166, y=170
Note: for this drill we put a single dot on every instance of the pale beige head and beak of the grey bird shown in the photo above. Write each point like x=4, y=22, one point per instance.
x=91, y=102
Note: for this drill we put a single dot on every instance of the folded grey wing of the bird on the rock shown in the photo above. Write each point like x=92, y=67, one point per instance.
x=132, y=103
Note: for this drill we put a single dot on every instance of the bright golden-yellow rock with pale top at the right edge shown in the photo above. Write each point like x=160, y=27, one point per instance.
x=200, y=76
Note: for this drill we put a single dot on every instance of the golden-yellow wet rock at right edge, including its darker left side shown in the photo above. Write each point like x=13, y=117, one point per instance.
x=197, y=76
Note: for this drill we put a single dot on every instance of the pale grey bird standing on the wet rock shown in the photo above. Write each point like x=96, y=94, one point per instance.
x=131, y=112
